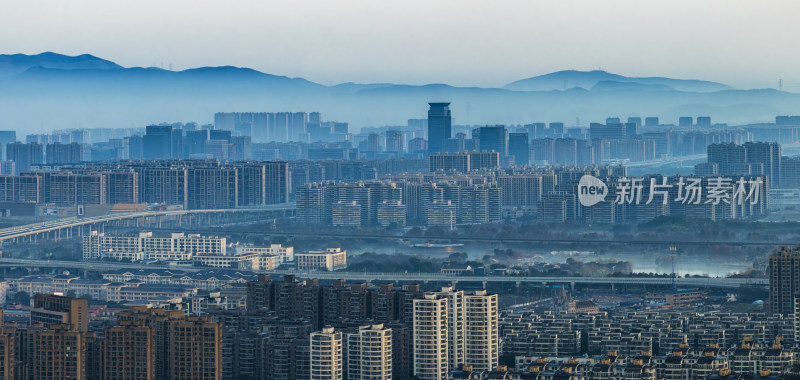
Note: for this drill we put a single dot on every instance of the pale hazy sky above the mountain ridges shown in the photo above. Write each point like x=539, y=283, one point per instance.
x=744, y=43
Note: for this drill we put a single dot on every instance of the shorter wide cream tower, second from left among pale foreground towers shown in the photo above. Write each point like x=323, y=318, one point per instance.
x=369, y=353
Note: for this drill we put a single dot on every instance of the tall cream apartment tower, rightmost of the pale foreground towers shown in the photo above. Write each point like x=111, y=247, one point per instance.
x=482, y=340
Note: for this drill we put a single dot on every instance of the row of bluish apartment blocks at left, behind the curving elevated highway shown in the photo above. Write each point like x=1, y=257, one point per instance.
x=190, y=184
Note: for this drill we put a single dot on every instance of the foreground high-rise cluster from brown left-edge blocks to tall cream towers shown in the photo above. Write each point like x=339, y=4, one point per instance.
x=289, y=329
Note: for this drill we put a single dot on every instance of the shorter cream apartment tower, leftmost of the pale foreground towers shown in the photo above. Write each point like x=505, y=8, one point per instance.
x=326, y=355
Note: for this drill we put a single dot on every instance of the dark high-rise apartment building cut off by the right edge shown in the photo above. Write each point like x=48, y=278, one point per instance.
x=784, y=280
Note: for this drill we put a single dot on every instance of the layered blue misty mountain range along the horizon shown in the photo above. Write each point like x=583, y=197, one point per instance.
x=49, y=91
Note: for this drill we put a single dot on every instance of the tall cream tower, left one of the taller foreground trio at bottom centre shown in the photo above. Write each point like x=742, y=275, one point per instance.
x=430, y=340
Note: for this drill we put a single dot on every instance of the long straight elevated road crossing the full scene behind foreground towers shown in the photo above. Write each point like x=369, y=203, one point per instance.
x=406, y=277
